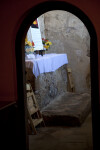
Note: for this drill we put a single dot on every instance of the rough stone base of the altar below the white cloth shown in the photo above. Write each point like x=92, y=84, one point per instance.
x=48, y=86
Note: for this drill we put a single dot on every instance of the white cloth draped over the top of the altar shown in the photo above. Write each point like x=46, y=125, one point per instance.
x=47, y=62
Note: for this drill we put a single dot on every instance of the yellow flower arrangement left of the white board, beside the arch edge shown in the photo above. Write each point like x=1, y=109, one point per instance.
x=29, y=46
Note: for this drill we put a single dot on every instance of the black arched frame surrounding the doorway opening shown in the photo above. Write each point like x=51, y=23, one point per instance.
x=29, y=17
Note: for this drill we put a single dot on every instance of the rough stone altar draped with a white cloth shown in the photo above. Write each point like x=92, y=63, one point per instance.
x=47, y=75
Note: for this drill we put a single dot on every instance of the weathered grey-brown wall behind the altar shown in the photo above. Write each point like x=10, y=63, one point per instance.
x=69, y=35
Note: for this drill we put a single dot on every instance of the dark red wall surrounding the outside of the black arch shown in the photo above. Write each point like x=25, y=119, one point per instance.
x=12, y=15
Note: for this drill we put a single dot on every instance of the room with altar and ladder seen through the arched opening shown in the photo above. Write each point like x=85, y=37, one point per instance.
x=58, y=82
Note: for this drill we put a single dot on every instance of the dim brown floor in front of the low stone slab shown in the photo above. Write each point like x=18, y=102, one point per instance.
x=63, y=138
